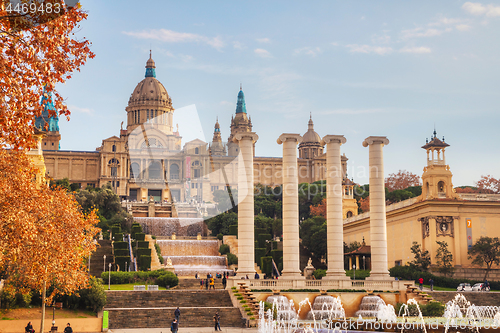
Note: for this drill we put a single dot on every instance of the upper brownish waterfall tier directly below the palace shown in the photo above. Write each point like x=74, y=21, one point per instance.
x=166, y=226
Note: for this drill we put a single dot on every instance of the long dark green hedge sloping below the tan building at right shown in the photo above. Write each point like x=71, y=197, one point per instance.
x=408, y=273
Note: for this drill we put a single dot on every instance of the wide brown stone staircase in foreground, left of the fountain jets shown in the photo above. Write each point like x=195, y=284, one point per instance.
x=155, y=309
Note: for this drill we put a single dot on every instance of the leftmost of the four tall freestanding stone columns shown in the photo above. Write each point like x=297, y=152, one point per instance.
x=246, y=245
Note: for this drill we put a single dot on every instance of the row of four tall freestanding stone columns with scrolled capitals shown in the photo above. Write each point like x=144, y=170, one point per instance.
x=334, y=177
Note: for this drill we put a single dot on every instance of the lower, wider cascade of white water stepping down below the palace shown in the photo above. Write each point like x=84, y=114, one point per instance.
x=189, y=257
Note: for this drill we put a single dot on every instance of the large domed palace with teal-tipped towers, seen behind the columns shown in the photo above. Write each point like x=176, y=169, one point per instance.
x=148, y=160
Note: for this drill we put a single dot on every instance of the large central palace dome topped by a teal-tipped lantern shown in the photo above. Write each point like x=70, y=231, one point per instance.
x=150, y=103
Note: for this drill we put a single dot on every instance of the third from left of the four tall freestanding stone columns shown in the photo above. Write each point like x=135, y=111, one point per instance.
x=334, y=218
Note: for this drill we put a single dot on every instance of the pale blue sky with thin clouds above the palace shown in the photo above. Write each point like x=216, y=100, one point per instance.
x=361, y=68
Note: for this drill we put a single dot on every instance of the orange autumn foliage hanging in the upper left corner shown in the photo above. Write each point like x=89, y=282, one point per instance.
x=36, y=49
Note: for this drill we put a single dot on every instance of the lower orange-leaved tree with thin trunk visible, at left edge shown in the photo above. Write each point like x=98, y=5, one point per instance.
x=45, y=238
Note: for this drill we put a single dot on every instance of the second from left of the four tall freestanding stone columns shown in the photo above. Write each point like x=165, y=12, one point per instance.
x=291, y=257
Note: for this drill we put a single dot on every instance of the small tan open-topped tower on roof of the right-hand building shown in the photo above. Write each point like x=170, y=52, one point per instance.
x=436, y=178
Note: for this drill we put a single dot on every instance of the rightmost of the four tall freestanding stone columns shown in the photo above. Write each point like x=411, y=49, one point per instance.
x=378, y=227
